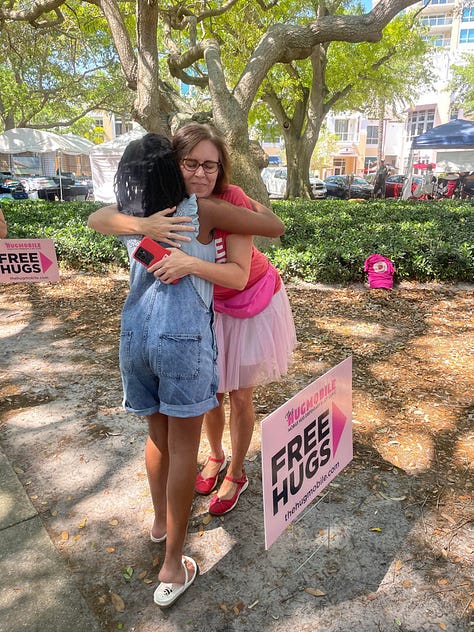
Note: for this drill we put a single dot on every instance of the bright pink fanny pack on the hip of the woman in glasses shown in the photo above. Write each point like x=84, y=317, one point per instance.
x=250, y=301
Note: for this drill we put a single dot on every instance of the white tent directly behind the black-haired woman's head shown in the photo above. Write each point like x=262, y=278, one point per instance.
x=104, y=162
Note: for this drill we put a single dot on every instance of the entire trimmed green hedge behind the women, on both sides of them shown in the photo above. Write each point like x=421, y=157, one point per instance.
x=326, y=241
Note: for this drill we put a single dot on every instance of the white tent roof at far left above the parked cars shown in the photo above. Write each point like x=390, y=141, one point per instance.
x=23, y=140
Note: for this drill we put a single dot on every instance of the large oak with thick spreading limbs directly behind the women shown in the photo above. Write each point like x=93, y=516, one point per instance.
x=195, y=57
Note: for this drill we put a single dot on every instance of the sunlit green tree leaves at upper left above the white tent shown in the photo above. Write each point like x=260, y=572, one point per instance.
x=55, y=75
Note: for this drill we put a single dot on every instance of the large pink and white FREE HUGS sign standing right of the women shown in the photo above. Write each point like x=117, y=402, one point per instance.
x=305, y=444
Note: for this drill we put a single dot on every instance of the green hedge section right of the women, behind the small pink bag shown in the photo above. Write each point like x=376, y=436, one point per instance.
x=328, y=241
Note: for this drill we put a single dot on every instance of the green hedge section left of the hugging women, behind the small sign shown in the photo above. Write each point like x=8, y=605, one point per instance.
x=77, y=246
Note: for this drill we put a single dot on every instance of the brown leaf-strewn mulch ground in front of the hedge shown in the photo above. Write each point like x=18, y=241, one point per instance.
x=413, y=379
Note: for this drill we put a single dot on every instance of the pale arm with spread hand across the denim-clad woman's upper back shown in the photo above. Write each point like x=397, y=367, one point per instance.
x=109, y=221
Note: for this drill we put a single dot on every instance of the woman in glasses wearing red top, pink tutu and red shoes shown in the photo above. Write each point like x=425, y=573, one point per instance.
x=254, y=324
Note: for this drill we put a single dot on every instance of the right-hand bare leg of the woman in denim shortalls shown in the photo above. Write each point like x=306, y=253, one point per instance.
x=183, y=443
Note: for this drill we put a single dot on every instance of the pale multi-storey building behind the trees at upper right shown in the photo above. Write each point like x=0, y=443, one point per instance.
x=451, y=31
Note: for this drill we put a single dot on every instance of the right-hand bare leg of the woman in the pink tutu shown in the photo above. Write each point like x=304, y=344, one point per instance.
x=242, y=422
